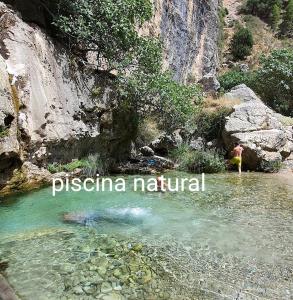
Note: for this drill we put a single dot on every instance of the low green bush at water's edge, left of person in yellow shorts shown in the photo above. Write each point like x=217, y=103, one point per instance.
x=198, y=161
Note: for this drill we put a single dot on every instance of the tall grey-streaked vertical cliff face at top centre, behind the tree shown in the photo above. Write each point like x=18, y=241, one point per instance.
x=189, y=31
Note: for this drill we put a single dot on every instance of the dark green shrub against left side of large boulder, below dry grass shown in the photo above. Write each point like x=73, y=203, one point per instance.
x=209, y=125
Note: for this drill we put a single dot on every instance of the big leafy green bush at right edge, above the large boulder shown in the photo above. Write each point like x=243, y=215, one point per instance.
x=273, y=81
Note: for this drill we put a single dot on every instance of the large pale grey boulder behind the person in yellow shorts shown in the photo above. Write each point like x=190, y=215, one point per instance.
x=259, y=129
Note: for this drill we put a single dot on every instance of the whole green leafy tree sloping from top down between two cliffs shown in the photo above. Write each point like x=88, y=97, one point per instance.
x=108, y=30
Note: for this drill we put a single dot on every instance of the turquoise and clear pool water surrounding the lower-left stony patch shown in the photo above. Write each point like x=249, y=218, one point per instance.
x=233, y=239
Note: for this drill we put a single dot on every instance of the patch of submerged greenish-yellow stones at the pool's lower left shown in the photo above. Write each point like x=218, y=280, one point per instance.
x=103, y=267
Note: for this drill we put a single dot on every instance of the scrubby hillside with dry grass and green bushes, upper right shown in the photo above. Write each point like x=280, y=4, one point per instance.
x=263, y=56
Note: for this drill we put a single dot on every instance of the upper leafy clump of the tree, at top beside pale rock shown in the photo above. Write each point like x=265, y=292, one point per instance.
x=108, y=29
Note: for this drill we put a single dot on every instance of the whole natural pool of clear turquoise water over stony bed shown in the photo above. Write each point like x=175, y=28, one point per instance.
x=233, y=241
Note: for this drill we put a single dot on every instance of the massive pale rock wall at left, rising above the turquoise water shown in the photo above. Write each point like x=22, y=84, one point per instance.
x=47, y=109
